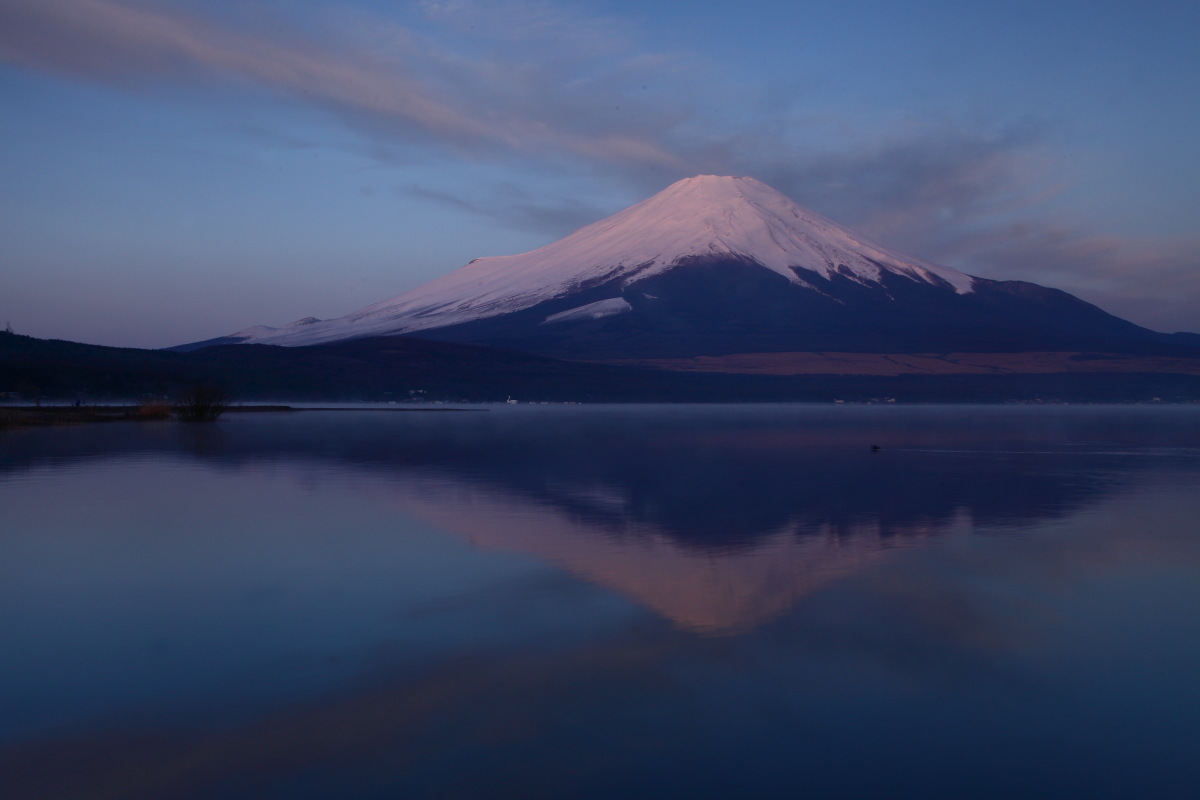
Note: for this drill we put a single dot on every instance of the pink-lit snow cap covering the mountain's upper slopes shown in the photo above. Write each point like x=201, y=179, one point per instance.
x=699, y=219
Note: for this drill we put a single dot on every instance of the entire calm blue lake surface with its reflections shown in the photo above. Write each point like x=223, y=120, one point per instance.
x=605, y=603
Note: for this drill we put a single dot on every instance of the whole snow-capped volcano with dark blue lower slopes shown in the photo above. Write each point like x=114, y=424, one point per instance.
x=718, y=267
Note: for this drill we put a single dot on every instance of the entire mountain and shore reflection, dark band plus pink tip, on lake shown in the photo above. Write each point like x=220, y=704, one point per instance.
x=718, y=520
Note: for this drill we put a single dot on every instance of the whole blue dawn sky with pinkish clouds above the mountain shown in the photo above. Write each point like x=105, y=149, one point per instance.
x=173, y=171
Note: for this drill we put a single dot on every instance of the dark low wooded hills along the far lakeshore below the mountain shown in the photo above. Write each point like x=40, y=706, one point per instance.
x=400, y=369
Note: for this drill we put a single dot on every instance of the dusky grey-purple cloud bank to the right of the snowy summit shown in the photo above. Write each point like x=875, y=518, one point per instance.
x=983, y=202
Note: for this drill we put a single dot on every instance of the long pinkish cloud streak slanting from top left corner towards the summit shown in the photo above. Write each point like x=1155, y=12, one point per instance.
x=393, y=81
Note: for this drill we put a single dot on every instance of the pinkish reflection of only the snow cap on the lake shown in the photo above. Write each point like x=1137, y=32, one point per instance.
x=701, y=590
